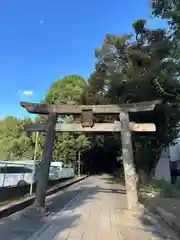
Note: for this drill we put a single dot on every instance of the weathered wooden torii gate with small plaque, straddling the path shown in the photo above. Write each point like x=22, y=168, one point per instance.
x=87, y=124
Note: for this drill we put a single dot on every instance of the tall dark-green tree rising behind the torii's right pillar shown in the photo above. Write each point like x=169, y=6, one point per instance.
x=134, y=71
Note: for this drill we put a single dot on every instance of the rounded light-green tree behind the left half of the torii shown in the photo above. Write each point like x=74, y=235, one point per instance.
x=68, y=90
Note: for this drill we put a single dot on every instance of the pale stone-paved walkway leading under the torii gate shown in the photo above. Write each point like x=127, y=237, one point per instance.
x=95, y=212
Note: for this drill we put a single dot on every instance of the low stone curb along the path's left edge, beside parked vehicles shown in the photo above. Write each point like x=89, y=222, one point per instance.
x=20, y=205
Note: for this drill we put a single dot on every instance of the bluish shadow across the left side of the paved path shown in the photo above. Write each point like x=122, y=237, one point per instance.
x=24, y=224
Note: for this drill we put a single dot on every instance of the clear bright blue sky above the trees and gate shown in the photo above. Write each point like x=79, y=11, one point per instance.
x=43, y=40
